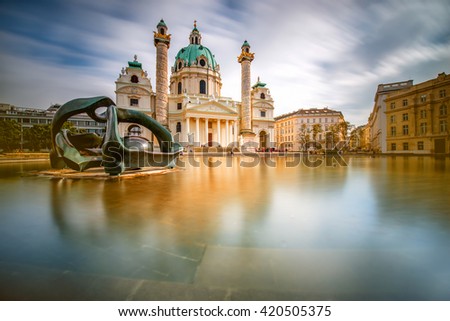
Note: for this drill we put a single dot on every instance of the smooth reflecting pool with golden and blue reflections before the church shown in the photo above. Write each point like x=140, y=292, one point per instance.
x=376, y=229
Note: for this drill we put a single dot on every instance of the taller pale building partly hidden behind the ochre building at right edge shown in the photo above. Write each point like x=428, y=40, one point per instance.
x=377, y=119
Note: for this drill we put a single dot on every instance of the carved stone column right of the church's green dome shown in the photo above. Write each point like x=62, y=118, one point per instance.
x=245, y=59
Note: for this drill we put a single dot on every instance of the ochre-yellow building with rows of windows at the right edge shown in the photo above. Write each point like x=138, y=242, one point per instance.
x=418, y=118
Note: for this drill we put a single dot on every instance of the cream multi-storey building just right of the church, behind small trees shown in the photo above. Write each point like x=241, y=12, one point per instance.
x=302, y=128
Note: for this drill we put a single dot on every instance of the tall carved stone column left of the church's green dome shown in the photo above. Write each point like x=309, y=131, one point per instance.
x=162, y=44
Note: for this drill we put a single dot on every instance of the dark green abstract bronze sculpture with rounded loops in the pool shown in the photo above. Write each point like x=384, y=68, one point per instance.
x=112, y=152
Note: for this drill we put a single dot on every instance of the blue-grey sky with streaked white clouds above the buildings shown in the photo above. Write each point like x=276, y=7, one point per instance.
x=310, y=53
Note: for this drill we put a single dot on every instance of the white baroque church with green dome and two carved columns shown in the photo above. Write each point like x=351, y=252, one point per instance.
x=190, y=103
